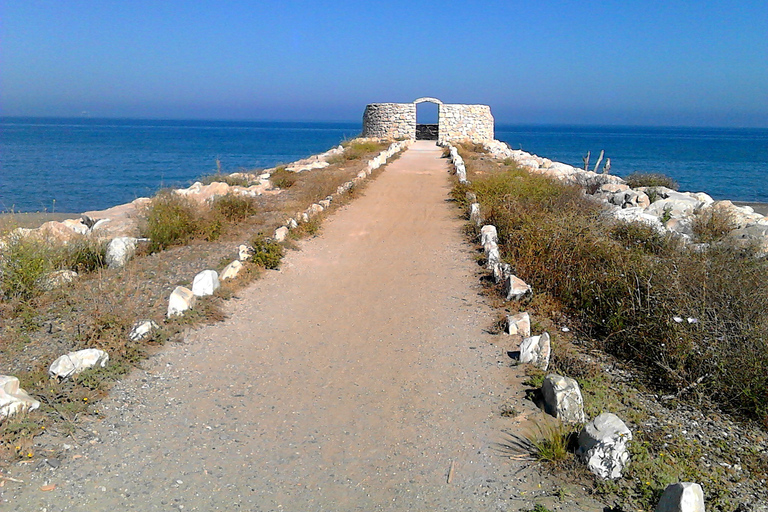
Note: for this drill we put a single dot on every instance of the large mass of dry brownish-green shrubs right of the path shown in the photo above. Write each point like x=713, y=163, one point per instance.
x=625, y=284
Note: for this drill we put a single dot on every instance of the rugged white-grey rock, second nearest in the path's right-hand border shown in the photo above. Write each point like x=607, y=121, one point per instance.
x=603, y=446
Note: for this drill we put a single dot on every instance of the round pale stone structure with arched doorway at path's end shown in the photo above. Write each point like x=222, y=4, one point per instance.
x=455, y=122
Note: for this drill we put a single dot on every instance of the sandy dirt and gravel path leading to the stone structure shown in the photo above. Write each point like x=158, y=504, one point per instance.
x=359, y=377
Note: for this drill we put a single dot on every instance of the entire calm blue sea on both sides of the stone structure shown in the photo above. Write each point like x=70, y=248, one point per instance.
x=80, y=164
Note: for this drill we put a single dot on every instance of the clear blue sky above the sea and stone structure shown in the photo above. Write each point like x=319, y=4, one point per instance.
x=611, y=62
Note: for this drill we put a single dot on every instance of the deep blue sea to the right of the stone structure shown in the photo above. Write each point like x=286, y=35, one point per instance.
x=726, y=163
